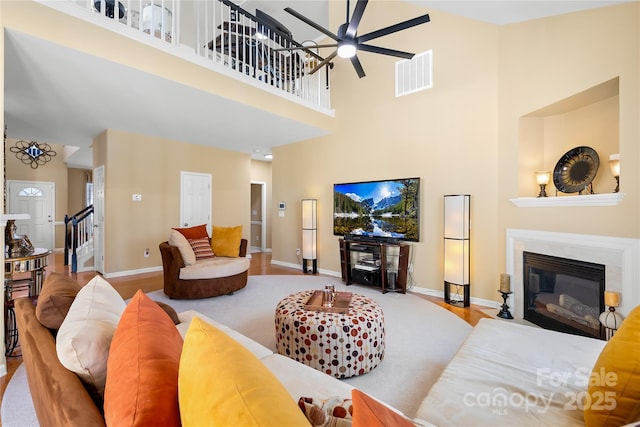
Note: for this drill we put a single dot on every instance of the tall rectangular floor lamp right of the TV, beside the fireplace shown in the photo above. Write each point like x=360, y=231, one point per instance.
x=457, y=220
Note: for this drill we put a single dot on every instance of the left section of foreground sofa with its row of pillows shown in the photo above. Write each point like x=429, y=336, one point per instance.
x=209, y=355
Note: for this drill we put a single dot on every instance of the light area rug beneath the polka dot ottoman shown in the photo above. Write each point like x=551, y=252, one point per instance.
x=421, y=337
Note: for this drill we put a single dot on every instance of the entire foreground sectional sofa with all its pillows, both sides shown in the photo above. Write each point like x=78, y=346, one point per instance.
x=503, y=374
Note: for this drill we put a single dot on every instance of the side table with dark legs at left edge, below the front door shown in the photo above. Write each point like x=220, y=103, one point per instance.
x=33, y=263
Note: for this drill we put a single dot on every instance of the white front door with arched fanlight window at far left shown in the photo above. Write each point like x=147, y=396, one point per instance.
x=38, y=200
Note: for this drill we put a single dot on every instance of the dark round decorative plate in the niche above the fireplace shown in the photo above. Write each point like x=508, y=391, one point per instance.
x=576, y=169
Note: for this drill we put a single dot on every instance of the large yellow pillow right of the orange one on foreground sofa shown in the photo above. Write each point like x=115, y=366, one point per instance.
x=221, y=383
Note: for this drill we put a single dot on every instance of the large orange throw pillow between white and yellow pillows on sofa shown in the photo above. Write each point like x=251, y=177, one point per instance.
x=142, y=370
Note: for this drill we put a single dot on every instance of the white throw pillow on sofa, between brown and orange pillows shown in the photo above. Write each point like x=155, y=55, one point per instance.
x=85, y=335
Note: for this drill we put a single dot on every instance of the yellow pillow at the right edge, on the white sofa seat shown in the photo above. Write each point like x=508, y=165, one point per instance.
x=614, y=385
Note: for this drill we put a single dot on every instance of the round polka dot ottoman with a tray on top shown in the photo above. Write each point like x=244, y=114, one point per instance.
x=339, y=344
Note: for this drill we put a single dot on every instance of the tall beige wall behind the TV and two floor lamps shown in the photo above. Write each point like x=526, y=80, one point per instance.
x=447, y=136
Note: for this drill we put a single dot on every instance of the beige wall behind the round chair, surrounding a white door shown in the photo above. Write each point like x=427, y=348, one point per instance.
x=139, y=164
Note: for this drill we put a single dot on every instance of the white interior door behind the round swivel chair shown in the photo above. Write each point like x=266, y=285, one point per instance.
x=195, y=199
